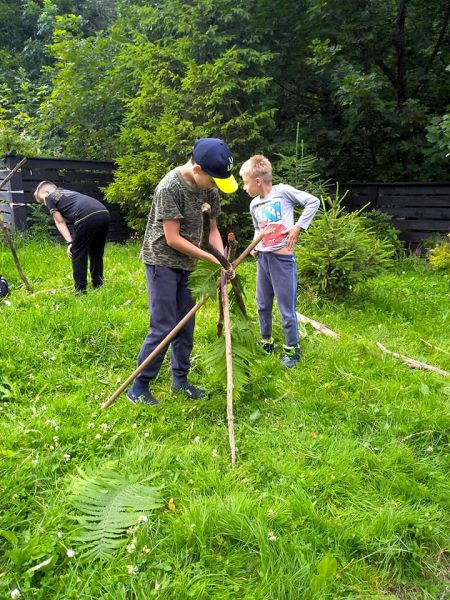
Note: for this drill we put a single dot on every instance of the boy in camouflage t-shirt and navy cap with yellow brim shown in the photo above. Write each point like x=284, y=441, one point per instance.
x=169, y=252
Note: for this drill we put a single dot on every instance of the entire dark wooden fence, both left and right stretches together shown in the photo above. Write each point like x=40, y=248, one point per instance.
x=418, y=210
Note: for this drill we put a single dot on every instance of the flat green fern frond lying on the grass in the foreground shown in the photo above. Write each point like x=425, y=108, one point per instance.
x=109, y=504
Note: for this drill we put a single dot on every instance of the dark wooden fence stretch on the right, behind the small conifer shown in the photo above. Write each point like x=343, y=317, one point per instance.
x=418, y=210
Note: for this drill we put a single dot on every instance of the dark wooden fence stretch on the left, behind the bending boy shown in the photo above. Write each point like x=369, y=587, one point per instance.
x=85, y=176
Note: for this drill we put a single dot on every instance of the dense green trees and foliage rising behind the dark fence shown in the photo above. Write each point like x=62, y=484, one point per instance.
x=137, y=81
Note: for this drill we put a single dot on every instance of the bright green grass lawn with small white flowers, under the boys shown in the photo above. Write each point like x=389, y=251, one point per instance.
x=341, y=487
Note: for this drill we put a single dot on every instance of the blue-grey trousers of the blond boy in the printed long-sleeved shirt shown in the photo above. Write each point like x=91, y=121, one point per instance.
x=277, y=277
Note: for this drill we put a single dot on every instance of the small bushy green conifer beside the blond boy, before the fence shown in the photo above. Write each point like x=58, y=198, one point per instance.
x=340, y=250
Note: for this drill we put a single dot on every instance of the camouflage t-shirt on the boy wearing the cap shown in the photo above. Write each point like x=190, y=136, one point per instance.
x=175, y=200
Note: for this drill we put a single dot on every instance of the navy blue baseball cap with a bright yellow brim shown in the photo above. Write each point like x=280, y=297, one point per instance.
x=215, y=158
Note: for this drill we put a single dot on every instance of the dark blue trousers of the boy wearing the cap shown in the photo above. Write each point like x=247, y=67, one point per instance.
x=169, y=300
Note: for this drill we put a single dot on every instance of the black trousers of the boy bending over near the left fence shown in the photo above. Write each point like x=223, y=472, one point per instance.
x=89, y=241
